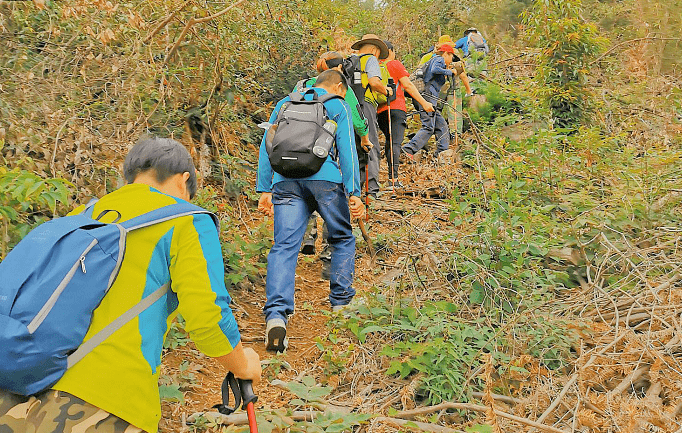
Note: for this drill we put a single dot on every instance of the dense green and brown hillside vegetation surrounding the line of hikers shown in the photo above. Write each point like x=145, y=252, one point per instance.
x=562, y=221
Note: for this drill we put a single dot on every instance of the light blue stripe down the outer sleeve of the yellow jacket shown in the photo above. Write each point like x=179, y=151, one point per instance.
x=210, y=246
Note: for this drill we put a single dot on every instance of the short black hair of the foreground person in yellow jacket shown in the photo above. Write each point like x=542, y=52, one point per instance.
x=165, y=156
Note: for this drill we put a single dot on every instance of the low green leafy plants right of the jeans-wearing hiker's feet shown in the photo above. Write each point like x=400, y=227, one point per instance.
x=435, y=341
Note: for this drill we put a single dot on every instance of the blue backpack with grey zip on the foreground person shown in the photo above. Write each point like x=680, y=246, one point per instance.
x=51, y=283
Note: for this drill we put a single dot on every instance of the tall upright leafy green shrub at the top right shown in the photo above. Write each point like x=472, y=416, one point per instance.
x=568, y=44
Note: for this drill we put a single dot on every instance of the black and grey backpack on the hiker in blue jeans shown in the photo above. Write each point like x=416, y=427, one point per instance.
x=302, y=136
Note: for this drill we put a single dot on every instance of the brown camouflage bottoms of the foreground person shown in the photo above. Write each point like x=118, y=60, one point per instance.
x=56, y=412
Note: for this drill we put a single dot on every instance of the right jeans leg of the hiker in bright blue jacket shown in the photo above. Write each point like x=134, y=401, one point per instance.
x=333, y=206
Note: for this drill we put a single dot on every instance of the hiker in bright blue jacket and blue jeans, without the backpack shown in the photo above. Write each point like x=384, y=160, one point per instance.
x=334, y=191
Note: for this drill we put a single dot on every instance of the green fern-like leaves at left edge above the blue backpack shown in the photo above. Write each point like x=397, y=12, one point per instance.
x=26, y=200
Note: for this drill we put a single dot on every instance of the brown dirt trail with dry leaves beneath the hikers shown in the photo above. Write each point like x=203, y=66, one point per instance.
x=309, y=321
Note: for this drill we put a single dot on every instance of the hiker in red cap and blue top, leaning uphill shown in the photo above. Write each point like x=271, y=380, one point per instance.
x=435, y=76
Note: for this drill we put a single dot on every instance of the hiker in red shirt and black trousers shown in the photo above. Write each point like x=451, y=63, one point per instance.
x=398, y=113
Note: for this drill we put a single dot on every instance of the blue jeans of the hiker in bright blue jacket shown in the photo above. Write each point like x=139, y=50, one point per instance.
x=295, y=201
